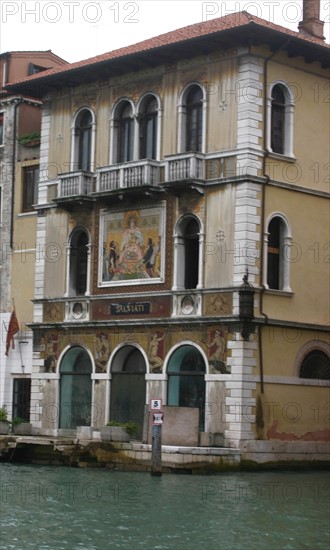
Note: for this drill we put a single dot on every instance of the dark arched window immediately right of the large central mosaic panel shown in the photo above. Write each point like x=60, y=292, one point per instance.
x=187, y=254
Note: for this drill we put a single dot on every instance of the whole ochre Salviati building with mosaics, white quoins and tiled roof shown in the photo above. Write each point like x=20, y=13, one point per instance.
x=171, y=171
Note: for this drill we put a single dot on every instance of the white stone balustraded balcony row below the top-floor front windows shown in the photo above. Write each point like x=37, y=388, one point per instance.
x=145, y=176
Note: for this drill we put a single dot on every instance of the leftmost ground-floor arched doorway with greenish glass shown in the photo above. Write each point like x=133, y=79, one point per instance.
x=75, y=389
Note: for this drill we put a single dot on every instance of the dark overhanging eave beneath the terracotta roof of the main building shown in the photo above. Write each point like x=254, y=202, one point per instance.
x=255, y=34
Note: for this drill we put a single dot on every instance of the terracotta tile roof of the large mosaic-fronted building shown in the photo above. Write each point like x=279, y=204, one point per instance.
x=226, y=23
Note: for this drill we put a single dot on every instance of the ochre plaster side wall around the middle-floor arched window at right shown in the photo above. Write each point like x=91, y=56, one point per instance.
x=308, y=217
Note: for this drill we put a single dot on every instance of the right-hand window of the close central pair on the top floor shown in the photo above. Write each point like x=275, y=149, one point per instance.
x=148, y=128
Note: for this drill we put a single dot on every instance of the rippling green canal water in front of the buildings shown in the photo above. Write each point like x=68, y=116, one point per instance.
x=60, y=508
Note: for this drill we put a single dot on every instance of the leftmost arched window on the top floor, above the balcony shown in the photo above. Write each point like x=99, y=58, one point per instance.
x=83, y=141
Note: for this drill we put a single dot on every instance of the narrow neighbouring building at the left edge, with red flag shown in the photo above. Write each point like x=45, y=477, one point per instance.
x=20, y=123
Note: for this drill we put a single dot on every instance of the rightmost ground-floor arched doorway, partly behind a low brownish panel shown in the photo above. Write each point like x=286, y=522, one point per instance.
x=186, y=380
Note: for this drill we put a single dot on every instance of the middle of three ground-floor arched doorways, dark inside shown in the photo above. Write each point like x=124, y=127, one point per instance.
x=128, y=387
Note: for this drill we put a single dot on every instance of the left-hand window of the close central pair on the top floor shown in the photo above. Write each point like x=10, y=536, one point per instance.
x=125, y=132
